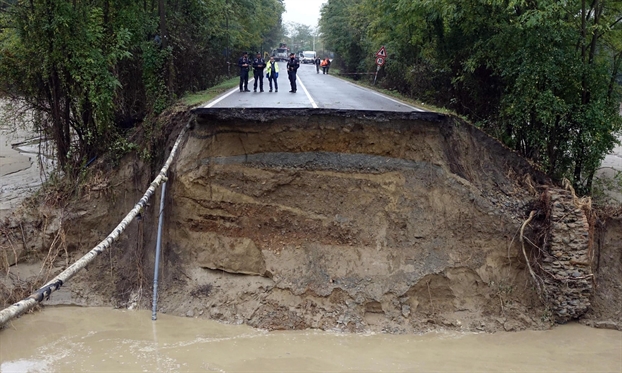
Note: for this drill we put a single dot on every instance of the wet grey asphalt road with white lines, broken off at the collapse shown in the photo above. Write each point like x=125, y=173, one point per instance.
x=314, y=91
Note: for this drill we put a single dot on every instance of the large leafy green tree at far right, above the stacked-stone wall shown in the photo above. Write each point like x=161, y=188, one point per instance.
x=560, y=104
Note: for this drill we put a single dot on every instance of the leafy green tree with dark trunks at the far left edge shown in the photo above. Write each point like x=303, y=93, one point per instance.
x=60, y=57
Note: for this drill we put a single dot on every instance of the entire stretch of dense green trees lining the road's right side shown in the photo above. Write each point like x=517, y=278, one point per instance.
x=541, y=75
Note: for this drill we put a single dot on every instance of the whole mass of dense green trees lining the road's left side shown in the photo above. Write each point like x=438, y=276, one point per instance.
x=90, y=68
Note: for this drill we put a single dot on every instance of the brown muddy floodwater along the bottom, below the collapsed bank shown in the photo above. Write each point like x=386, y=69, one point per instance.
x=70, y=339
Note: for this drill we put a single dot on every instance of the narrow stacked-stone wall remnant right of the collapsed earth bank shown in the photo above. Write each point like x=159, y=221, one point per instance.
x=566, y=264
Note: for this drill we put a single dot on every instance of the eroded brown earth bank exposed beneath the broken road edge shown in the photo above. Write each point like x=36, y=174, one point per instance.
x=333, y=220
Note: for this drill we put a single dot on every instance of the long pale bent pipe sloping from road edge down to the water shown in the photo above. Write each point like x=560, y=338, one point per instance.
x=46, y=290
